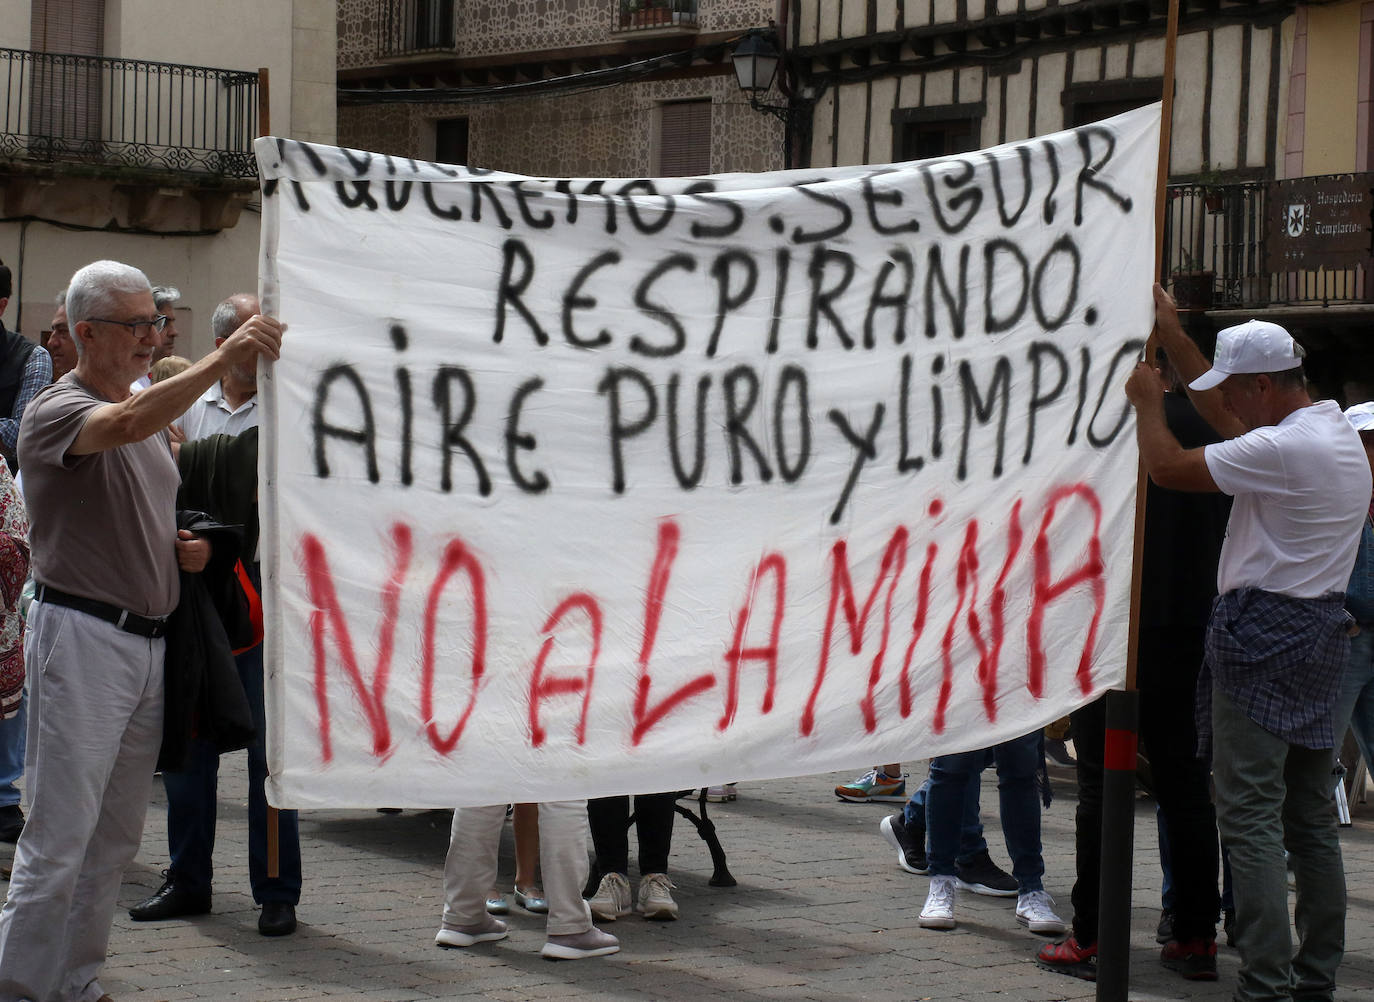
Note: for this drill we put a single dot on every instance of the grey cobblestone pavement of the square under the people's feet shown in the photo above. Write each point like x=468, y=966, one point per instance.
x=822, y=912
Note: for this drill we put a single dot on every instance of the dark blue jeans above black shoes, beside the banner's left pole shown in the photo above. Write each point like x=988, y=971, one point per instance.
x=192, y=810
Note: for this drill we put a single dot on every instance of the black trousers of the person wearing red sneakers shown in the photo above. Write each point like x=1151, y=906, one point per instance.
x=1167, y=678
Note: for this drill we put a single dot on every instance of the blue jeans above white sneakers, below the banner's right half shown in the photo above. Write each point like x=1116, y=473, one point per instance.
x=1017, y=761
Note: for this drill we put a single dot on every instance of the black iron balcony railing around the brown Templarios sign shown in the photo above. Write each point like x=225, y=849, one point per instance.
x=1217, y=254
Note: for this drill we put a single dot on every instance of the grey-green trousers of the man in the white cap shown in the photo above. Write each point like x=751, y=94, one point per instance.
x=1270, y=797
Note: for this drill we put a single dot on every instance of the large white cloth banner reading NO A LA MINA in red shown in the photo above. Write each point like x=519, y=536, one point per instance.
x=579, y=487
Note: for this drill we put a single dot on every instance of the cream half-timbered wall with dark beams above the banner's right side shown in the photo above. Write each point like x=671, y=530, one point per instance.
x=1232, y=78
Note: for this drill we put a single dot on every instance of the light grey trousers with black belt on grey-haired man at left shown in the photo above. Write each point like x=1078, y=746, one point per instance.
x=95, y=726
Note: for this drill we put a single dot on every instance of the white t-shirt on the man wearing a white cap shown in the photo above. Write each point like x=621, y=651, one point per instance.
x=1302, y=493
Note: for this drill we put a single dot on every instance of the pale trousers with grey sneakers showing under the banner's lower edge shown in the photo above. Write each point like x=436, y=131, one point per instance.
x=471, y=868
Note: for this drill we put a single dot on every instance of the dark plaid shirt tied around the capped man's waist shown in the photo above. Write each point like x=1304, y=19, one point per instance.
x=1280, y=660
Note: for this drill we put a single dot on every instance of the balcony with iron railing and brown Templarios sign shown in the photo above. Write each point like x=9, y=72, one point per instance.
x=1269, y=245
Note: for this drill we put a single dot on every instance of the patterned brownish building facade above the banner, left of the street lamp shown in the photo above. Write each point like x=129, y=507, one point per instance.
x=615, y=131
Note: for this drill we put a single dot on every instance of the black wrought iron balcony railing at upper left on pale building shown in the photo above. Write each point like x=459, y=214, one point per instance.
x=127, y=113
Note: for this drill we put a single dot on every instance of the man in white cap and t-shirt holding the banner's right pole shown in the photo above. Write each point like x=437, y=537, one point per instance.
x=1277, y=643
